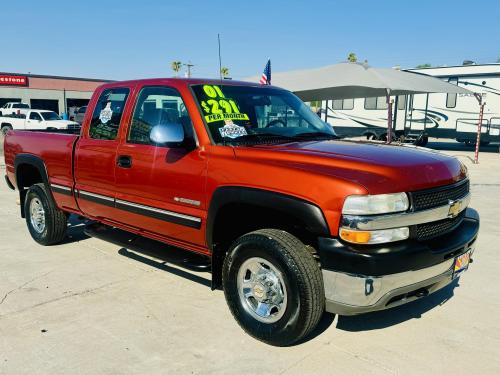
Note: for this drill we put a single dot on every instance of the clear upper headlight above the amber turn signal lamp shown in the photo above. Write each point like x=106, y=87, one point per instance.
x=375, y=204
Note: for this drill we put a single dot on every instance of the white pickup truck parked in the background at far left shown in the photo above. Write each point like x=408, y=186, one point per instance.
x=36, y=120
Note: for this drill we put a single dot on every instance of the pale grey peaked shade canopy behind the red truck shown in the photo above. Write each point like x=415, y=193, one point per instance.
x=356, y=80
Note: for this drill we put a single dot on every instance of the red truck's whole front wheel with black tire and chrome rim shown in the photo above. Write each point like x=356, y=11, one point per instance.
x=273, y=286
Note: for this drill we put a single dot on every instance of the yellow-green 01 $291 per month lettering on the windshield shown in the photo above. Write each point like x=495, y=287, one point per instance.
x=217, y=107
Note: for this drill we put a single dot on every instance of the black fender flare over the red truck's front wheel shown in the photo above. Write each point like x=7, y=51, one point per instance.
x=307, y=212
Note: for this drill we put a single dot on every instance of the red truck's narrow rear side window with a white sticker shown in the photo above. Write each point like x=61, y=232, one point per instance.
x=108, y=113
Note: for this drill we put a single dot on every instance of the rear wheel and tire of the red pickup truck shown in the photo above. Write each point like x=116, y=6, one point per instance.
x=46, y=223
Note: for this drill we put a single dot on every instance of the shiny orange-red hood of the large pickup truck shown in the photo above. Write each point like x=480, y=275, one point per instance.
x=379, y=168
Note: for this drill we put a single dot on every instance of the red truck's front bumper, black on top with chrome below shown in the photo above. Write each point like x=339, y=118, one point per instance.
x=359, y=280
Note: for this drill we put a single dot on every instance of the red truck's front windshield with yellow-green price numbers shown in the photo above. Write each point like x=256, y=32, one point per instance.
x=245, y=114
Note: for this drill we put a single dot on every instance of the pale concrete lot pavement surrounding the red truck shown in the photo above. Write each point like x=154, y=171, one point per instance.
x=90, y=307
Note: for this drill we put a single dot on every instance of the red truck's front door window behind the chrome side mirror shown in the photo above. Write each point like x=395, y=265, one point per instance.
x=157, y=105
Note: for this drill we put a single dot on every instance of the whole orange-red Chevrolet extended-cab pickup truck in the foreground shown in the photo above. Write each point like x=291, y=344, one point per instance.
x=293, y=221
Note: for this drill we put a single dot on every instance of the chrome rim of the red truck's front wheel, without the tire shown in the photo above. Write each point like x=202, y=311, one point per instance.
x=262, y=290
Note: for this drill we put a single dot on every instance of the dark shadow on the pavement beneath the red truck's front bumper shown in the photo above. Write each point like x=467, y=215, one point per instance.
x=397, y=315
